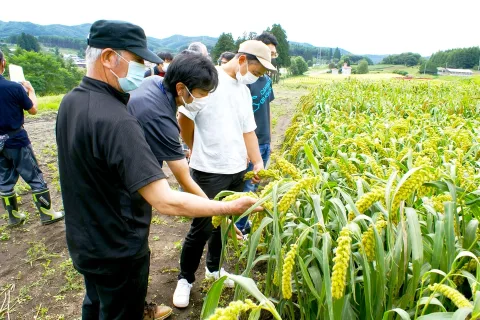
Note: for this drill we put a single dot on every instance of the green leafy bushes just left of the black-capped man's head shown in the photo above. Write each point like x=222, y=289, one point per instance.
x=49, y=74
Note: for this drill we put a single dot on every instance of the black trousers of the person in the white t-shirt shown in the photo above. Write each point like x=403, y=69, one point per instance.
x=202, y=229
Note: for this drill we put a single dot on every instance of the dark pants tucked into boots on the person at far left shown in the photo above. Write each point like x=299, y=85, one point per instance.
x=20, y=162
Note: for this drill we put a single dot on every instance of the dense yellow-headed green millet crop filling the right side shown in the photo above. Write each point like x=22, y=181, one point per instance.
x=371, y=209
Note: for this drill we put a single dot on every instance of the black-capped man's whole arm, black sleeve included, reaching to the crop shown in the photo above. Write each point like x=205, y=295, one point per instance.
x=139, y=171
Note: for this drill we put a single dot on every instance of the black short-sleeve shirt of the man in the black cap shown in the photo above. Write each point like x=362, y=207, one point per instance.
x=103, y=160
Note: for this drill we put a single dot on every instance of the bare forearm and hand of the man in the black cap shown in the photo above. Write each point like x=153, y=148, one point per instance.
x=175, y=203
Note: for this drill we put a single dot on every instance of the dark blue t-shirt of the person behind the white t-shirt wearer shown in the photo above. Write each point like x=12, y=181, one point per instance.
x=262, y=95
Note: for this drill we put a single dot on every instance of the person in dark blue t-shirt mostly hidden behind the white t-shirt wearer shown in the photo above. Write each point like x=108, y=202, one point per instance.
x=262, y=95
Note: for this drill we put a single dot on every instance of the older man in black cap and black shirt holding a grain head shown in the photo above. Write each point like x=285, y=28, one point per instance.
x=109, y=176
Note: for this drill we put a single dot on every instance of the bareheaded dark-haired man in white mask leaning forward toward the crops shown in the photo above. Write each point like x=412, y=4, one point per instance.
x=190, y=80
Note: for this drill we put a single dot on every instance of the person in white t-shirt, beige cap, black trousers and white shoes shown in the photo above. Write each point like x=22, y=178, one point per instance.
x=222, y=137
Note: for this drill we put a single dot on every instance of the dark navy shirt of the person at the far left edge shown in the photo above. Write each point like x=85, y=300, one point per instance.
x=13, y=100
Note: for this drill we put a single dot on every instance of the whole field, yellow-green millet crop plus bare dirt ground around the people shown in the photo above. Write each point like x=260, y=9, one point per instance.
x=371, y=210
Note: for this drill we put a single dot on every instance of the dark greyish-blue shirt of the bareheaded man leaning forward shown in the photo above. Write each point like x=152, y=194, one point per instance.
x=154, y=107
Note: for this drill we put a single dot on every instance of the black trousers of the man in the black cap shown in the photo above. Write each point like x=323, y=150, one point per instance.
x=119, y=296
